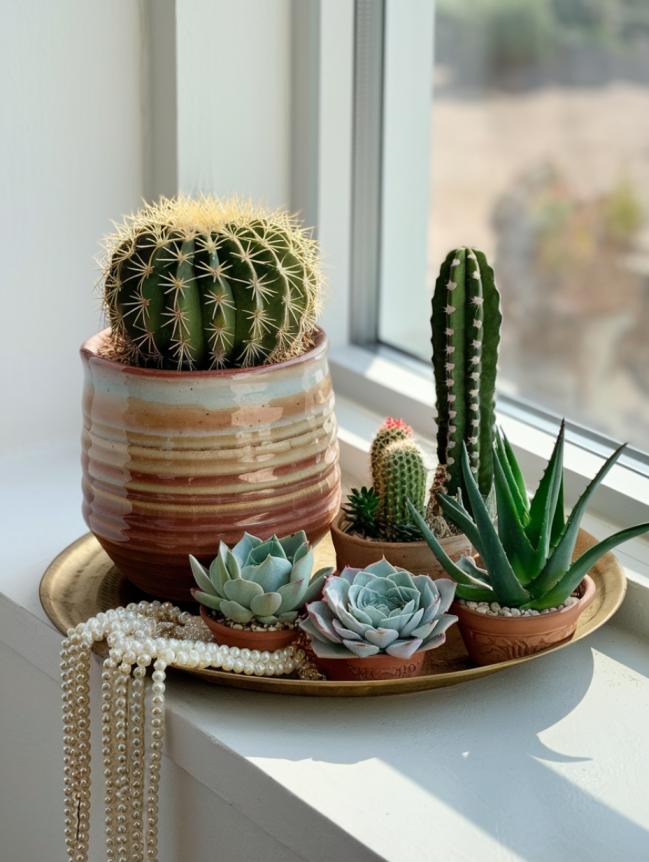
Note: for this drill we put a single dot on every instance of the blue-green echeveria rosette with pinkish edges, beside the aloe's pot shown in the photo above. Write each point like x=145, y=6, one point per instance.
x=379, y=609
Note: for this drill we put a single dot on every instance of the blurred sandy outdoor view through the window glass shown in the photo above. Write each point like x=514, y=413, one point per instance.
x=540, y=156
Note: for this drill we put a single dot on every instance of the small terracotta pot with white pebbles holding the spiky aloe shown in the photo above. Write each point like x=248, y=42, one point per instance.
x=490, y=640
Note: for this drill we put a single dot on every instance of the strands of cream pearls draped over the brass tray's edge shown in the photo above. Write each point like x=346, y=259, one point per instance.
x=149, y=633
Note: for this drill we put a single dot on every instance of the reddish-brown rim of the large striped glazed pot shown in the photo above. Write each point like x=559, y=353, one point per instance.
x=89, y=350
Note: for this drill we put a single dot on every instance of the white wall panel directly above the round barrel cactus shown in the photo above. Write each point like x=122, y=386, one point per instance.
x=234, y=98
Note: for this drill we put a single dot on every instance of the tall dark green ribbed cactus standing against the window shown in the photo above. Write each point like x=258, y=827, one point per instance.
x=465, y=336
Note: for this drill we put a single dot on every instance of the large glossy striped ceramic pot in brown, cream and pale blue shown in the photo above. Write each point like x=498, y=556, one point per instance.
x=174, y=461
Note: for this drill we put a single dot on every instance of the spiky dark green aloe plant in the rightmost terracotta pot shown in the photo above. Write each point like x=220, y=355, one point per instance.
x=528, y=553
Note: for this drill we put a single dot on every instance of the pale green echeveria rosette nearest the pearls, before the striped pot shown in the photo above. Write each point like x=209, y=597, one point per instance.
x=267, y=582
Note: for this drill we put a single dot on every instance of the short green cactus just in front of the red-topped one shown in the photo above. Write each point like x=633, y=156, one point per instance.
x=403, y=478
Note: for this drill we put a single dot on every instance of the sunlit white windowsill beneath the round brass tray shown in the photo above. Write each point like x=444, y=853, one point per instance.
x=396, y=778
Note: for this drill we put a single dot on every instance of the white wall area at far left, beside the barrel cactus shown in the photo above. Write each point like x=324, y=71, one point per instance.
x=71, y=160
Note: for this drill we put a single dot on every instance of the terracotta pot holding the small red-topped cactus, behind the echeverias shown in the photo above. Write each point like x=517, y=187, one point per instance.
x=416, y=557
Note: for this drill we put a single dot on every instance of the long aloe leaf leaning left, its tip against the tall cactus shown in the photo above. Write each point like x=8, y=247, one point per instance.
x=503, y=578
